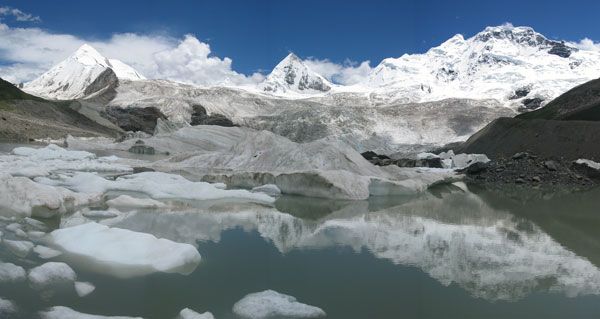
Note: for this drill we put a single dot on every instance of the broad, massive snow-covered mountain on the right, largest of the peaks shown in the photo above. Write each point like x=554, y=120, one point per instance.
x=514, y=65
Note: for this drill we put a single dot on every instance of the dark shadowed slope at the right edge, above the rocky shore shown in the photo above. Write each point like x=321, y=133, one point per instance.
x=567, y=128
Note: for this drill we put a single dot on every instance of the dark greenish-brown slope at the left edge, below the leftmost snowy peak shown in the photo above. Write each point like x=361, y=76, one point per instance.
x=24, y=117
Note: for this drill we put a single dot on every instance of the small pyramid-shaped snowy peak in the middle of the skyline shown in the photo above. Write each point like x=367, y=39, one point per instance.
x=291, y=76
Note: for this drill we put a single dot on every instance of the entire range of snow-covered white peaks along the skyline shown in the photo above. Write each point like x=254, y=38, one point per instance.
x=514, y=65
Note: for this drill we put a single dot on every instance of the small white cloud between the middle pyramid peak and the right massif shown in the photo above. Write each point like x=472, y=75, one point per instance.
x=347, y=73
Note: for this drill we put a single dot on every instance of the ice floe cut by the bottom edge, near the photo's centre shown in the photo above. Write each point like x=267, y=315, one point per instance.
x=271, y=304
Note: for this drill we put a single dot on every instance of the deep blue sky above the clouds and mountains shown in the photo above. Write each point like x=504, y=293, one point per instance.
x=256, y=34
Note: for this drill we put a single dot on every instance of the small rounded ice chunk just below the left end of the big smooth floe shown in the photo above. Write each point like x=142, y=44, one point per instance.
x=51, y=274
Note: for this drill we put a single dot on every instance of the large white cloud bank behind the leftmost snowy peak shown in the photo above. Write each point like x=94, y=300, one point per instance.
x=25, y=53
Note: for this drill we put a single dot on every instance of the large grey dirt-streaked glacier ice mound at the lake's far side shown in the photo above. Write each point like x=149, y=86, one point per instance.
x=242, y=157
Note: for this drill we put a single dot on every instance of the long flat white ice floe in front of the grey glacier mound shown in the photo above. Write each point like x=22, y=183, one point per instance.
x=156, y=185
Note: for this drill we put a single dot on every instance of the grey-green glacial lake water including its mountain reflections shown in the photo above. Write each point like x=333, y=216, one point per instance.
x=444, y=254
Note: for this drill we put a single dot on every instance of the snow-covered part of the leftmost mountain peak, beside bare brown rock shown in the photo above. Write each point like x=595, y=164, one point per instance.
x=70, y=78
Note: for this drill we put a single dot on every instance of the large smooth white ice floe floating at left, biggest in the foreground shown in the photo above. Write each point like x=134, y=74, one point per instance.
x=121, y=252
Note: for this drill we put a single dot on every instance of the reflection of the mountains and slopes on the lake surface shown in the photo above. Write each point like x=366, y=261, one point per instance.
x=494, y=248
